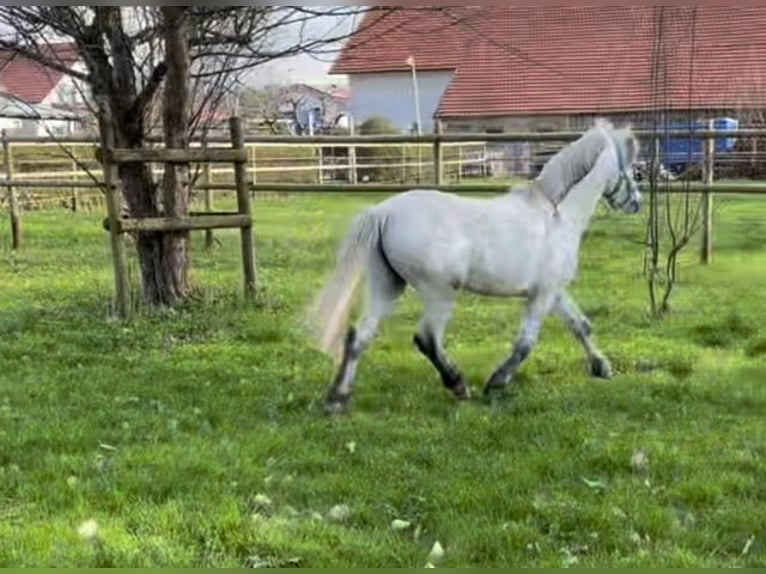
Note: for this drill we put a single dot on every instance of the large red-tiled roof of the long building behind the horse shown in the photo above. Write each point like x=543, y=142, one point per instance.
x=572, y=59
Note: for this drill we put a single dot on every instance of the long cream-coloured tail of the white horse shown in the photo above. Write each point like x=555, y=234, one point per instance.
x=329, y=314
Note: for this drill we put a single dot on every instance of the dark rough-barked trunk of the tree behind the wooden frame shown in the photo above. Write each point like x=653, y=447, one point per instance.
x=162, y=257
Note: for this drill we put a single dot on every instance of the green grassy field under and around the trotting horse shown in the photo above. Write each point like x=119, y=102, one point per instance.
x=197, y=438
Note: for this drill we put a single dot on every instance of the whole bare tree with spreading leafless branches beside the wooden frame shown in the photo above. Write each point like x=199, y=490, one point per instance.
x=170, y=64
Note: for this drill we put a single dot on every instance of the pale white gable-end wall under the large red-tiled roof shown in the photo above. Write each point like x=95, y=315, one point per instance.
x=390, y=94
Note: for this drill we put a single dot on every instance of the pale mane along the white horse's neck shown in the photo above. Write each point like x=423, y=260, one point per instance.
x=573, y=162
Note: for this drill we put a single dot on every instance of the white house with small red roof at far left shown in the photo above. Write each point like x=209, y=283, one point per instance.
x=37, y=100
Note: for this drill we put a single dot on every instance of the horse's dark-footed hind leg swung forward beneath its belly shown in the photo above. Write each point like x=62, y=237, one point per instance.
x=430, y=339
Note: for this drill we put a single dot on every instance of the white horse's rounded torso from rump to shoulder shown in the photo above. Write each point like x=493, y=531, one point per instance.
x=441, y=240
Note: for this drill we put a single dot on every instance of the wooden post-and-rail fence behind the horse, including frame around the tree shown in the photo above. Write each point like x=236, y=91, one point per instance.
x=244, y=157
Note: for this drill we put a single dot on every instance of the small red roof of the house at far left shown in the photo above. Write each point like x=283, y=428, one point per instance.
x=29, y=80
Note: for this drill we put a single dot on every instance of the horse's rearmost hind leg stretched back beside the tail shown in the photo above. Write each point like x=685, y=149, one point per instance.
x=384, y=289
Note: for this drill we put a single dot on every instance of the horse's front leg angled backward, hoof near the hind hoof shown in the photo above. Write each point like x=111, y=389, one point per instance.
x=538, y=306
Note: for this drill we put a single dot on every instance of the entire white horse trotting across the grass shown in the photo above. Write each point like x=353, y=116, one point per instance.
x=524, y=243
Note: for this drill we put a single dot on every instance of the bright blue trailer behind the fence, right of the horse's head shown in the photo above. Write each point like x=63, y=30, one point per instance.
x=676, y=153
